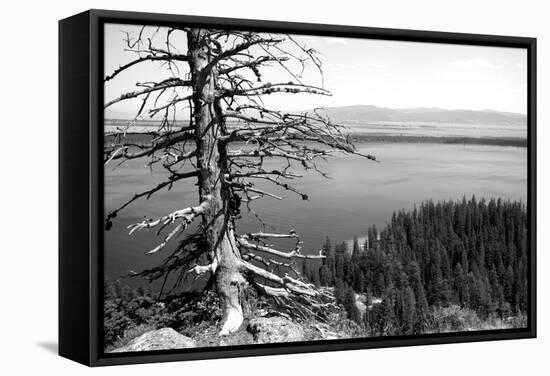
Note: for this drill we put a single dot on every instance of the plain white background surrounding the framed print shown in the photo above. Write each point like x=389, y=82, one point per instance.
x=28, y=210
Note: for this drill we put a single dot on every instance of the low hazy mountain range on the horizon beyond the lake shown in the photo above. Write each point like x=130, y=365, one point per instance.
x=371, y=114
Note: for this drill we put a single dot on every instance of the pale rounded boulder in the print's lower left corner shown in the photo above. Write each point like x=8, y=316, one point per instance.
x=161, y=339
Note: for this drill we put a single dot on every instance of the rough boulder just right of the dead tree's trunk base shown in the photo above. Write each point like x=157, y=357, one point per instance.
x=275, y=330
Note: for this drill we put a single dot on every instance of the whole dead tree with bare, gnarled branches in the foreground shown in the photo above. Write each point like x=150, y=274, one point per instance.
x=224, y=147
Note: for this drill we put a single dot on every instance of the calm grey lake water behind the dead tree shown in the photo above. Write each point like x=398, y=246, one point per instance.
x=360, y=193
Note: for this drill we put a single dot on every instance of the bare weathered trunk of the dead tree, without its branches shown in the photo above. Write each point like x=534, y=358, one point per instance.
x=224, y=256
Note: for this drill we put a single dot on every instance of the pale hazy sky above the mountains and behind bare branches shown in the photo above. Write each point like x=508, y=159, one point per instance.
x=358, y=71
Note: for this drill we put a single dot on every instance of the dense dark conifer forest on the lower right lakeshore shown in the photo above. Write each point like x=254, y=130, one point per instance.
x=467, y=255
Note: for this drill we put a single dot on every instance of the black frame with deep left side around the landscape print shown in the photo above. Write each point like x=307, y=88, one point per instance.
x=81, y=186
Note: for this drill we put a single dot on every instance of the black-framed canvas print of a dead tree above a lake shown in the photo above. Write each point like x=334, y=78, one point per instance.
x=236, y=187
